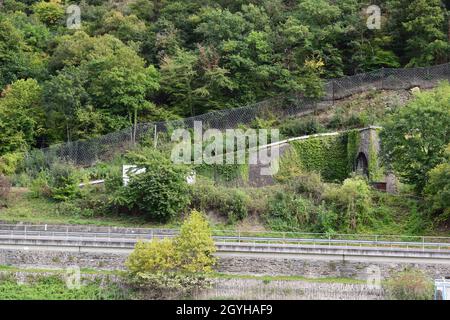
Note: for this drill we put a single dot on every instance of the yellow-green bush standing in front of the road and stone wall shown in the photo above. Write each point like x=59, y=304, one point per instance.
x=174, y=264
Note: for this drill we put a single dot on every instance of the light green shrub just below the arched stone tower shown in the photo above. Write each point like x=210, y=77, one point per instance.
x=352, y=200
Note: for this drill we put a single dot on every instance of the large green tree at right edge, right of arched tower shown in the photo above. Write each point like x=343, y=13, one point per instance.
x=415, y=137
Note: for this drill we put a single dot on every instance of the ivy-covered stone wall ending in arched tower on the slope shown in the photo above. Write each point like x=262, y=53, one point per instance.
x=334, y=157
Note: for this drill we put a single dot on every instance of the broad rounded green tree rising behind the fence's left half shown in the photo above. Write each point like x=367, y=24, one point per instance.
x=100, y=84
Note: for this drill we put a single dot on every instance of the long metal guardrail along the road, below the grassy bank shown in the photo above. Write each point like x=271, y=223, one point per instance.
x=127, y=235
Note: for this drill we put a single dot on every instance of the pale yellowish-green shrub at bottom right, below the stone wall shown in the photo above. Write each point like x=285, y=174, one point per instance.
x=409, y=285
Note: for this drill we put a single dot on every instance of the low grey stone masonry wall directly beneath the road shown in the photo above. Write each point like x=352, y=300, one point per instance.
x=227, y=264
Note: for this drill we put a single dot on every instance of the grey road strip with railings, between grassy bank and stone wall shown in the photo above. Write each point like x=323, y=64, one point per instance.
x=123, y=240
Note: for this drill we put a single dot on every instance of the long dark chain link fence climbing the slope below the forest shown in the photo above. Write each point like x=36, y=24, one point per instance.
x=89, y=152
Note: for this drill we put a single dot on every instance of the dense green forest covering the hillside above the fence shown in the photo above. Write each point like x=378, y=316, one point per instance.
x=150, y=60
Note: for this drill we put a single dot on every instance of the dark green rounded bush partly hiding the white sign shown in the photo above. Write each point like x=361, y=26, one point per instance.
x=161, y=193
